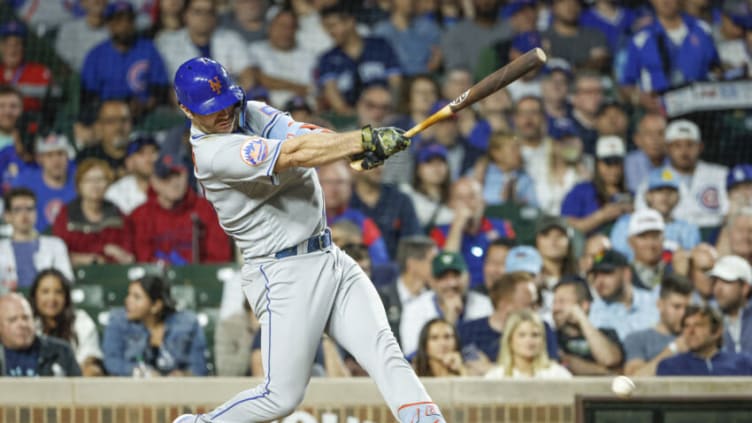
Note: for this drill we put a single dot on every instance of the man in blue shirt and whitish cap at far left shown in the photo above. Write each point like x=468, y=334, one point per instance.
x=53, y=182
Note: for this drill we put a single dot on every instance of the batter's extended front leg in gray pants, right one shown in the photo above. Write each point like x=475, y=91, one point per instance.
x=358, y=323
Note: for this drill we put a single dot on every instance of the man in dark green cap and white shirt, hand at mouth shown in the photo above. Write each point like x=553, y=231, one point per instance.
x=448, y=298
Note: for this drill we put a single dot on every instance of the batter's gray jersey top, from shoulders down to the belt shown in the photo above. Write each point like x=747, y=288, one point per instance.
x=264, y=212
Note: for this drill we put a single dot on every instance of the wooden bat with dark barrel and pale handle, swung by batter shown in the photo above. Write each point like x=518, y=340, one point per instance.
x=504, y=76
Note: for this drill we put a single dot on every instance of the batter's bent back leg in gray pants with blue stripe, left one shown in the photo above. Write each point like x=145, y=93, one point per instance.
x=292, y=298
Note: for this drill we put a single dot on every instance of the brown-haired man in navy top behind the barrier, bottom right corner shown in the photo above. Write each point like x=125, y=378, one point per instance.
x=702, y=329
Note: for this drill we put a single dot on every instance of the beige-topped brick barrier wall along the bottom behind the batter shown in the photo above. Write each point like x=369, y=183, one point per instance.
x=463, y=400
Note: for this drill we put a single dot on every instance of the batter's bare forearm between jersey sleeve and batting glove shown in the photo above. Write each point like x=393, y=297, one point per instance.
x=313, y=150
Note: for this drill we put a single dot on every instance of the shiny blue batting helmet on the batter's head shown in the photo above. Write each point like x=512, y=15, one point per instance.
x=204, y=87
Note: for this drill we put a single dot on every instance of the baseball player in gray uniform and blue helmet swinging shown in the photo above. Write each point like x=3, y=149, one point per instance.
x=256, y=165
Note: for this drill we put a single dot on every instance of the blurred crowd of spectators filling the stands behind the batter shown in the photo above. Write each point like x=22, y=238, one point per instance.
x=564, y=226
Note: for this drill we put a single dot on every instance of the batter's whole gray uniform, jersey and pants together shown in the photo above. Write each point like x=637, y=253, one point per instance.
x=298, y=297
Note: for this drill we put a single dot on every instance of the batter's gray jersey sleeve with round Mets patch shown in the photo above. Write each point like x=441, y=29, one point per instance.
x=242, y=158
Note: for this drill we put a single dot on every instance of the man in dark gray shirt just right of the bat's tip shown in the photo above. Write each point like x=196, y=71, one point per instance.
x=582, y=47
